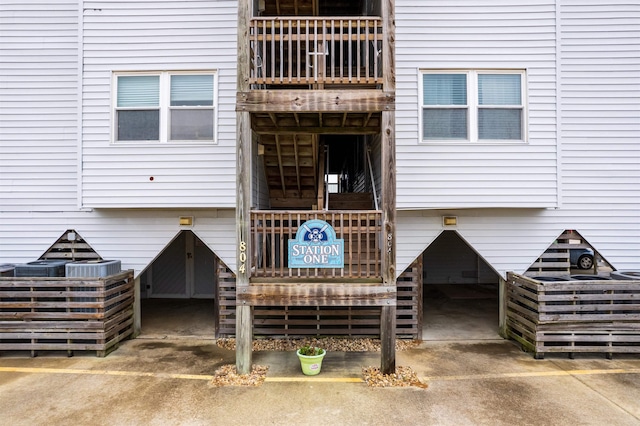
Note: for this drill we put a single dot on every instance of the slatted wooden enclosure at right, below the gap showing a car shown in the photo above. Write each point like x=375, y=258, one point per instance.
x=573, y=316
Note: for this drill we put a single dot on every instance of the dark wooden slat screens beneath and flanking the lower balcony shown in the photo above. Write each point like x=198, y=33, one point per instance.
x=348, y=321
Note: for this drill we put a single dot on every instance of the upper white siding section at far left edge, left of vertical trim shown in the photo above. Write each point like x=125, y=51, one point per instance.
x=38, y=106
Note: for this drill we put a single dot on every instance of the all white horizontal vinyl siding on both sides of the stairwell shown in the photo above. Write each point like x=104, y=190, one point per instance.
x=585, y=51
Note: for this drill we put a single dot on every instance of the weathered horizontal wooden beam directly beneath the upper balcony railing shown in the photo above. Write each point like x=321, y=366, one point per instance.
x=315, y=101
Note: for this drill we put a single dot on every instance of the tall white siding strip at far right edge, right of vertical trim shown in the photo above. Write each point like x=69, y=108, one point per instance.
x=600, y=113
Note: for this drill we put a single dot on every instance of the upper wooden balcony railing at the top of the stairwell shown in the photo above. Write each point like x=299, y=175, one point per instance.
x=313, y=50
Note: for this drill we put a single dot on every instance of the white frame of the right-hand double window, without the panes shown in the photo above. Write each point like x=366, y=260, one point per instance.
x=473, y=107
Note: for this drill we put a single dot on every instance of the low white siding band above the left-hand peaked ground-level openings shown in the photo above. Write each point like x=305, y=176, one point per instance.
x=135, y=237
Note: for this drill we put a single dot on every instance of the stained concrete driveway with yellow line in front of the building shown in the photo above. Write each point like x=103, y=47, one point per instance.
x=168, y=382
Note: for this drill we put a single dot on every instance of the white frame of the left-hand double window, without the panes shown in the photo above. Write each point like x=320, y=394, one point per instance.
x=164, y=107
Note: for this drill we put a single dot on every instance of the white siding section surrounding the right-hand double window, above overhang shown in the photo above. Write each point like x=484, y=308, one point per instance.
x=481, y=36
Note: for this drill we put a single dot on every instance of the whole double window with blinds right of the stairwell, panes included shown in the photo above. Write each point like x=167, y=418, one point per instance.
x=472, y=106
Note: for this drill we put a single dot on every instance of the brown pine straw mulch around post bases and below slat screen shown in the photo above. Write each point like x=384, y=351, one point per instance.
x=403, y=377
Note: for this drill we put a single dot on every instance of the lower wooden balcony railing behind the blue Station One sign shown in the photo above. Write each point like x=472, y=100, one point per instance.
x=361, y=231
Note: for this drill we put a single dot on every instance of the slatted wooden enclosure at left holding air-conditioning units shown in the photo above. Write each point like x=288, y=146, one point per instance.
x=66, y=314
